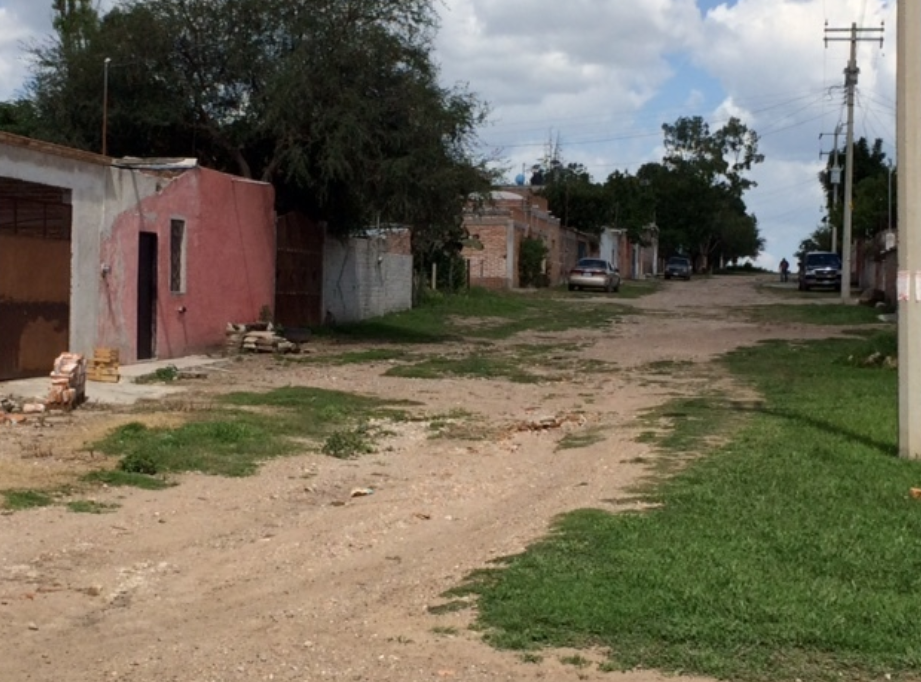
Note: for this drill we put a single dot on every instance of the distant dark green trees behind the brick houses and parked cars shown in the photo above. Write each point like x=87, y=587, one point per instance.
x=695, y=195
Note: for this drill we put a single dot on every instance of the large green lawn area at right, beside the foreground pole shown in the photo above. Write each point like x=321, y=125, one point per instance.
x=789, y=552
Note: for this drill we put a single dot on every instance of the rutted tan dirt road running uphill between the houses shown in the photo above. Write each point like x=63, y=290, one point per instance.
x=273, y=578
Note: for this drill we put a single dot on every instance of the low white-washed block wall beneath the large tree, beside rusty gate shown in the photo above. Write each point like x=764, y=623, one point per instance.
x=361, y=280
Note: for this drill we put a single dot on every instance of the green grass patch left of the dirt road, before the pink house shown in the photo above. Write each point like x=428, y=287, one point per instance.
x=231, y=440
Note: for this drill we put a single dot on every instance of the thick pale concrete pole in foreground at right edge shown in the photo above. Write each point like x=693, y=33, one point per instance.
x=908, y=96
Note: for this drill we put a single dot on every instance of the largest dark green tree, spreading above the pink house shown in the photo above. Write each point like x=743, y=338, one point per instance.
x=336, y=103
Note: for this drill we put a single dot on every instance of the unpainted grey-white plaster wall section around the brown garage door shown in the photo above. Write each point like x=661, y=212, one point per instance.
x=99, y=193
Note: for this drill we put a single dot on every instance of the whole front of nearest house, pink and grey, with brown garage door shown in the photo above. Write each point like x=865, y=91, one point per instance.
x=152, y=258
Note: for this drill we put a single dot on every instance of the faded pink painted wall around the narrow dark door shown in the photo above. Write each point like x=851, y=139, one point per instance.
x=229, y=267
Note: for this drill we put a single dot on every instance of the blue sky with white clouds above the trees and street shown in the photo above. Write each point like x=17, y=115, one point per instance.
x=602, y=76
